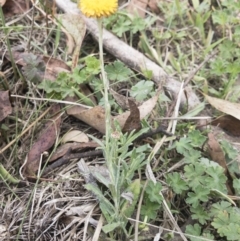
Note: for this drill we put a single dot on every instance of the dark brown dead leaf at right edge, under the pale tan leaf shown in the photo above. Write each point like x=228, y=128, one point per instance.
x=229, y=124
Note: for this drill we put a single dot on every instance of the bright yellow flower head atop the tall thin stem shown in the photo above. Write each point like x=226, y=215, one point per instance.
x=98, y=8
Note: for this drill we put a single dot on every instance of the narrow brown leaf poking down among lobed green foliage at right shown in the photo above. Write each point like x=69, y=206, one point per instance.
x=218, y=156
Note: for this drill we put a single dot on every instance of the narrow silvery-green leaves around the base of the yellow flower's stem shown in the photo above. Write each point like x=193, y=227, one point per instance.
x=123, y=189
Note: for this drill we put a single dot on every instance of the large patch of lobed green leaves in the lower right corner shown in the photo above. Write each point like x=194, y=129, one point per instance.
x=197, y=185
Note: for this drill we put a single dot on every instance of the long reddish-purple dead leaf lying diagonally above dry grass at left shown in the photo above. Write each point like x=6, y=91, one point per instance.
x=44, y=142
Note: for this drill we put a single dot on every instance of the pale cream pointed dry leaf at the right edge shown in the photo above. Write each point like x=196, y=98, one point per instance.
x=225, y=106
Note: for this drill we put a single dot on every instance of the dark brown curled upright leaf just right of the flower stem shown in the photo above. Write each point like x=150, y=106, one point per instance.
x=133, y=121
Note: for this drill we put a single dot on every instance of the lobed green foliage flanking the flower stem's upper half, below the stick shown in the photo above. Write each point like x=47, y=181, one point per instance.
x=67, y=83
